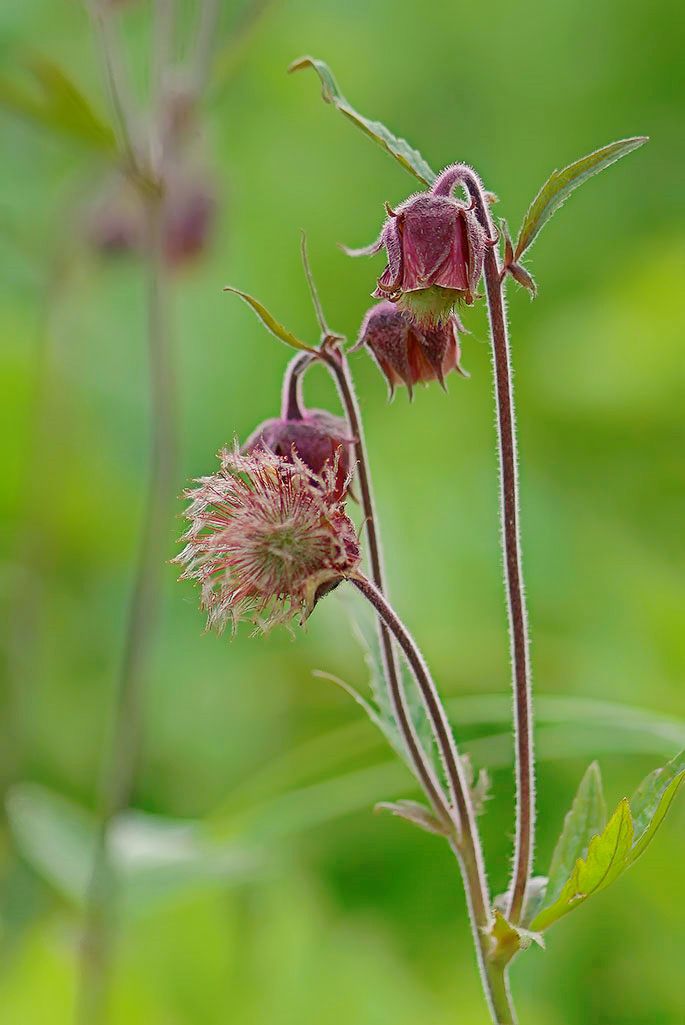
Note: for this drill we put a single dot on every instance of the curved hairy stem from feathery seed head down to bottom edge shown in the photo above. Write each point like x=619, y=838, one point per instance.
x=467, y=846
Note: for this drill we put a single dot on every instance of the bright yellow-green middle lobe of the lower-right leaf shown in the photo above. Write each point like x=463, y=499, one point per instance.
x=606, y=860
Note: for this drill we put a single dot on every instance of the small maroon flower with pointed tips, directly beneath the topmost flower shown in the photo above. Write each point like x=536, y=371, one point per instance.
x=409, y=353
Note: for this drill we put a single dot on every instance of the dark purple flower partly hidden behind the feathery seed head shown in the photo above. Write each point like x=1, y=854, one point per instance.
x=316, y=437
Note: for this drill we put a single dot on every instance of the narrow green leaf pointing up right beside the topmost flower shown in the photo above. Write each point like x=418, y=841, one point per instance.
x=560, y=185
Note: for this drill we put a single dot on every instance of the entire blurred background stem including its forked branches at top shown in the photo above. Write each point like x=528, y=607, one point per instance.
x=124, y=750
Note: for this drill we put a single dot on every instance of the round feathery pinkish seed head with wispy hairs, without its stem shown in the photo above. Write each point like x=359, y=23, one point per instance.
x=267, y=540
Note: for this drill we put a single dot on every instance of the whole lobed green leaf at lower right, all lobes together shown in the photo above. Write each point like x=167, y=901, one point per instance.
x=611, y=853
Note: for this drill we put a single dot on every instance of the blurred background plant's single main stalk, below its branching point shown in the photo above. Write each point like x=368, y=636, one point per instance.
x=125, y=744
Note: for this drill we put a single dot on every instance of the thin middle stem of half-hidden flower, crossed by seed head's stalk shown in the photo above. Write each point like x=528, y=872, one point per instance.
x=338, y=365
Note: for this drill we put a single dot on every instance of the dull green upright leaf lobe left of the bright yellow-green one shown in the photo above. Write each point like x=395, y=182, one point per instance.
x=586, y=819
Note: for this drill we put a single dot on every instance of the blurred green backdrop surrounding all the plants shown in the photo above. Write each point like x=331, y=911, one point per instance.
x=297, y=905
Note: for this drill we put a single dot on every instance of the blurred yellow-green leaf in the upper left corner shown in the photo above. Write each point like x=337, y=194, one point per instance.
x=58, y=104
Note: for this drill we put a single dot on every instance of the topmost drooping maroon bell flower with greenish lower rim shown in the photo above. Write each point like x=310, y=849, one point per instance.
x=435, y=247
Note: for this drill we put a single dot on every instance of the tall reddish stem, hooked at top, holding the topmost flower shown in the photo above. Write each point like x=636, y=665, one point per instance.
x=509, y=493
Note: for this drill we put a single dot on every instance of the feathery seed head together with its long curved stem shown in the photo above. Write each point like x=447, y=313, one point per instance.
x=268, y=540
